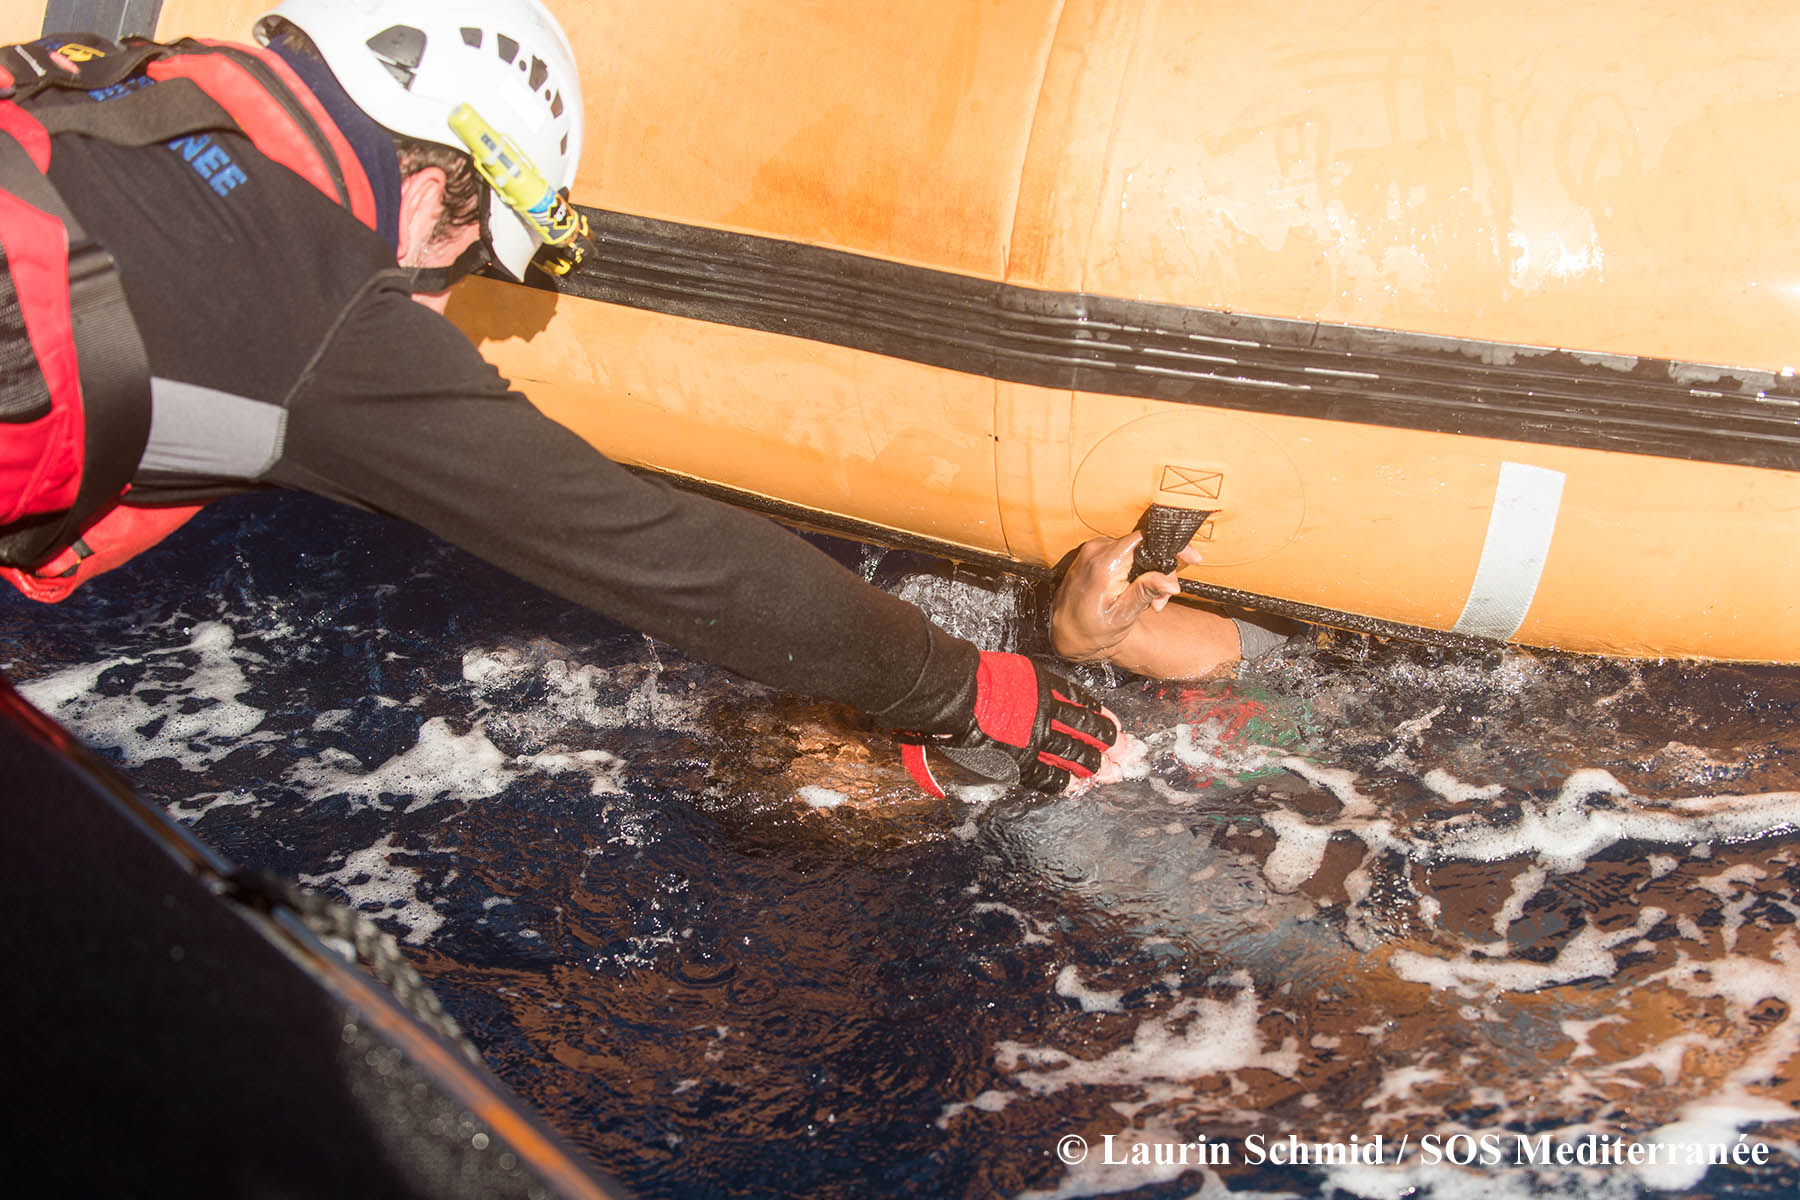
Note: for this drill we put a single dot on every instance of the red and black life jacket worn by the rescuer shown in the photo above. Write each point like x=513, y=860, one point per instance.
x=75, y=382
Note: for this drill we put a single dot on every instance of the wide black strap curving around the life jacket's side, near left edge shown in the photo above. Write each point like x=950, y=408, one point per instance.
x=112, y=366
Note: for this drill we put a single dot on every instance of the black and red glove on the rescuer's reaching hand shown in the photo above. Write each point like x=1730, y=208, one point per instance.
x=1027, y=724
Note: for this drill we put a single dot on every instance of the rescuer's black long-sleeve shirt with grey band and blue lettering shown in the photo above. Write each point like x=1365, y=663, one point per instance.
x=287, y=352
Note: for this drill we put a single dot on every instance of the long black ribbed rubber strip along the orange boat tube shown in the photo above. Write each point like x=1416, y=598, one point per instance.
x=1192, y=355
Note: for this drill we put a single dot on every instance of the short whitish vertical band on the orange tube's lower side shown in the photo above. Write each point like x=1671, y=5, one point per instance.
x=1513, y=559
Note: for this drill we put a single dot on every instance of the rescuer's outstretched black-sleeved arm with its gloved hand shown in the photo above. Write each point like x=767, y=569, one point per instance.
x=404, y=418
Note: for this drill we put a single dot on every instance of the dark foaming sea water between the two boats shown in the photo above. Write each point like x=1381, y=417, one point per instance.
x=1486, y=908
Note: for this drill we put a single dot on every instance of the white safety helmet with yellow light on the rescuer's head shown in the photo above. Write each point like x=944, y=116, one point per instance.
x=415, y=64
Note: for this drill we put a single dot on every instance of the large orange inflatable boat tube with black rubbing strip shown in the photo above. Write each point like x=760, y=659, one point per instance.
x=1459, y=323
